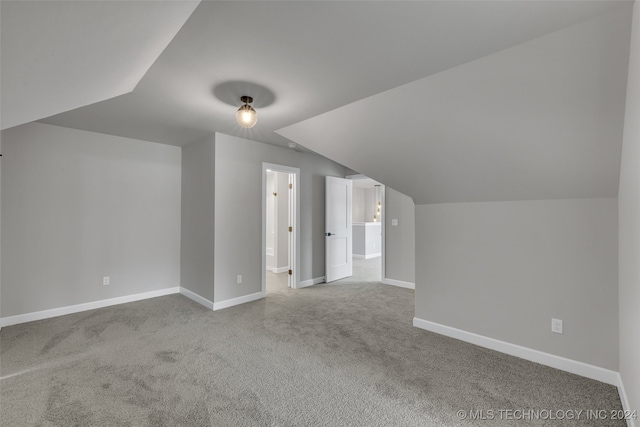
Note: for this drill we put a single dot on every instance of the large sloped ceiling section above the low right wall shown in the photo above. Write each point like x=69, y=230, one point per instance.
x=541, y=120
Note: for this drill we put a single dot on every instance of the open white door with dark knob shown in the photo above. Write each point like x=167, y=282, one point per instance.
x=338, y=240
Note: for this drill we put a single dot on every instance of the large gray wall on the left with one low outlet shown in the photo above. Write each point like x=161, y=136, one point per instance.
x=79, y=206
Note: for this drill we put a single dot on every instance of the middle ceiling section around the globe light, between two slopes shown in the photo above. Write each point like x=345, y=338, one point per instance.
x=302, y=59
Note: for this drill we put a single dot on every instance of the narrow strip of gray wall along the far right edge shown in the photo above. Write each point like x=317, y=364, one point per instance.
x=629, y=228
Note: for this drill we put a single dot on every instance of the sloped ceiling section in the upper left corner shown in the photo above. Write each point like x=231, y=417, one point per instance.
x=61, y=55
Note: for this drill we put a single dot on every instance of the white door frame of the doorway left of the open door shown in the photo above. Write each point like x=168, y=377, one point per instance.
x=293, y=255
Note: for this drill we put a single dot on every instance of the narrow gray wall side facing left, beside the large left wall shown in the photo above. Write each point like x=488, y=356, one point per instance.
x=198, y=190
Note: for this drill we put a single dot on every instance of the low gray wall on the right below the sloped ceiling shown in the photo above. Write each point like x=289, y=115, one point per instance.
x=504, y=269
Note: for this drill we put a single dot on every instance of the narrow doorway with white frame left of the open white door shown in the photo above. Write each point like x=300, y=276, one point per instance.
x=280, y=236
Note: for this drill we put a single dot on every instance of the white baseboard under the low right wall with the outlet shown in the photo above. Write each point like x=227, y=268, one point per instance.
x=575, y=367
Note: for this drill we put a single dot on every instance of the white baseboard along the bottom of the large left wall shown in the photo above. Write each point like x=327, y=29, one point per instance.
x=70, y=309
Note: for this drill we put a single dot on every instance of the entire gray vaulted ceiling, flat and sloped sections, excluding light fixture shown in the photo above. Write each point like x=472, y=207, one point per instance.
x=446, y=101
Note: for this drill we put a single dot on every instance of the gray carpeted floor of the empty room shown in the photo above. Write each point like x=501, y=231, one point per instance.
x=328, y=355
